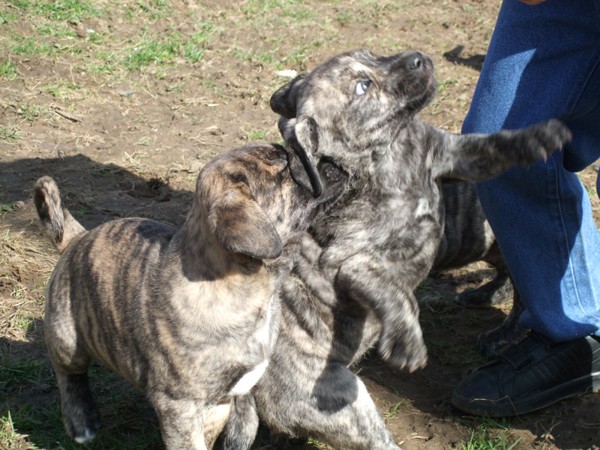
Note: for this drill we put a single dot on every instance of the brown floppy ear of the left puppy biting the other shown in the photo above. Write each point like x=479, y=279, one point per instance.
x=240, y=224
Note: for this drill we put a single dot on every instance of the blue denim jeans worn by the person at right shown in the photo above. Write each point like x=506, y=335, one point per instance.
x=544, y=62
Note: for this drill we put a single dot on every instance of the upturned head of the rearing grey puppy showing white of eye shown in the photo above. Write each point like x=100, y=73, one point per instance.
x=351, y=98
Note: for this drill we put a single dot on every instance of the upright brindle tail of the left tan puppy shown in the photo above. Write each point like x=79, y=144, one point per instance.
x=60, y=226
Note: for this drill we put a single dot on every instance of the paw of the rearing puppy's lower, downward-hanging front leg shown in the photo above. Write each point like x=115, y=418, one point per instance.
x=403, y=349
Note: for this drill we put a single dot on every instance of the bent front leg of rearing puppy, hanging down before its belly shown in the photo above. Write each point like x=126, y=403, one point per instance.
x=368, y=281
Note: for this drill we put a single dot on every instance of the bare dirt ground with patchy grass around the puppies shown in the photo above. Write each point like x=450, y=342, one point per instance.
x=123, y=102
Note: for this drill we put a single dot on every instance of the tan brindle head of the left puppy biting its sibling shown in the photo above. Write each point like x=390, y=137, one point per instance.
x=257, y=198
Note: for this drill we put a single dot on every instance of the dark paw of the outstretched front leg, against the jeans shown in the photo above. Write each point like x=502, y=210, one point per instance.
x=543, y=139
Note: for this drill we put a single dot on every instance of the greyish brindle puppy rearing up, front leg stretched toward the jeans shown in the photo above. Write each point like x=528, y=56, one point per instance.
x=353, y=283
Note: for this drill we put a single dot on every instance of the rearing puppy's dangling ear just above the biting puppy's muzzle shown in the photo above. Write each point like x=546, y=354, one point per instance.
x=301, y=135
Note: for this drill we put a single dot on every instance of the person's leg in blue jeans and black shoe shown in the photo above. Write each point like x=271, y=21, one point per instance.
x=543, y=62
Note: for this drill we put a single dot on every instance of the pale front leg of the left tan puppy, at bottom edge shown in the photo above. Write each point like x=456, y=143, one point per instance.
x=181, y=422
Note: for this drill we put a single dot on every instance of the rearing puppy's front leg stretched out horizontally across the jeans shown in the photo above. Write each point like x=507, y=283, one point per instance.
x=479, y=157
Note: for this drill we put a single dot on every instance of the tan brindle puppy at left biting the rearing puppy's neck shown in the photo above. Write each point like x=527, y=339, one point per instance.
x=187, y=315
